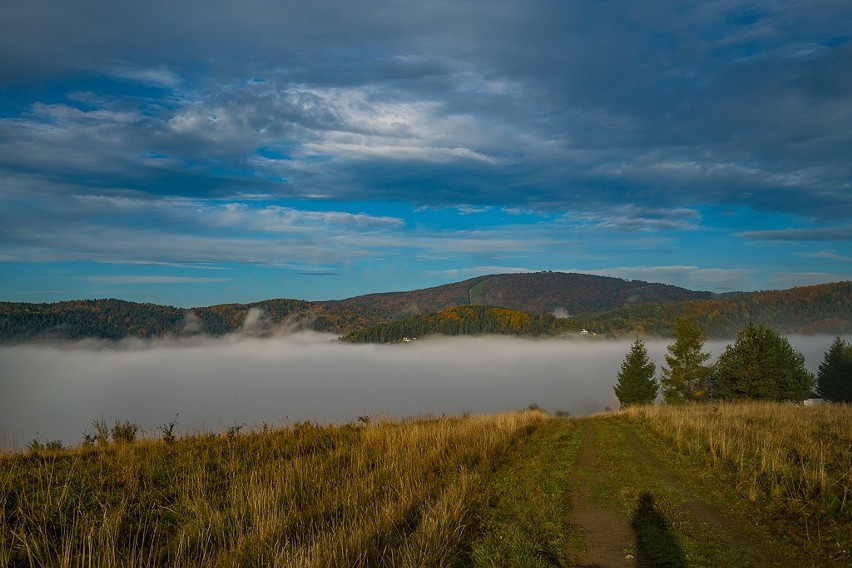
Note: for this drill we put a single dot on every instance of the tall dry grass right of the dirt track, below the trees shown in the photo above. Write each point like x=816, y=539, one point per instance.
x=797, y=461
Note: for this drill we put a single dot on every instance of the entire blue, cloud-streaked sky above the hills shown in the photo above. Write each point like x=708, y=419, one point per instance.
x=193, y=153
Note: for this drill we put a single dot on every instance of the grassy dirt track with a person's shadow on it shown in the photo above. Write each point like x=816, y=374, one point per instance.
x=636, y=505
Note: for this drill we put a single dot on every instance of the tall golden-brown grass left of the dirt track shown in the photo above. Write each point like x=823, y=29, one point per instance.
x=402, y=494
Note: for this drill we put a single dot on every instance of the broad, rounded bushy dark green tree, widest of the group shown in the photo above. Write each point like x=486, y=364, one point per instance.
x=761, y=364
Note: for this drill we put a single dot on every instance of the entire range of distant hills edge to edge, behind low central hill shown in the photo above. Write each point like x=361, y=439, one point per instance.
x=605, y=305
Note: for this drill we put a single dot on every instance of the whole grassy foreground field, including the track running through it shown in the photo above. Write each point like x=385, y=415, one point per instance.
x=754, y=484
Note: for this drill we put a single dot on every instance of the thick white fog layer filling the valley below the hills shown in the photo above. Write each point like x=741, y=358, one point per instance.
x=55, y=391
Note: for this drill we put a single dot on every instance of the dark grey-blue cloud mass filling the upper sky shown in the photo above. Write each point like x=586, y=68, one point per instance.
x=566, y=104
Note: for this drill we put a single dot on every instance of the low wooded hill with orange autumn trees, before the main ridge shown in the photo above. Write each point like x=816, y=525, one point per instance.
x=460, y=320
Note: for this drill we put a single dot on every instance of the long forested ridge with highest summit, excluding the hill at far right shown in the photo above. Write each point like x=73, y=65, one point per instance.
x=542, y=292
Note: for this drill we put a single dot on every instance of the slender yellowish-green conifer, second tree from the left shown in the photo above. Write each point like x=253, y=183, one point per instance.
x=687, y=376
